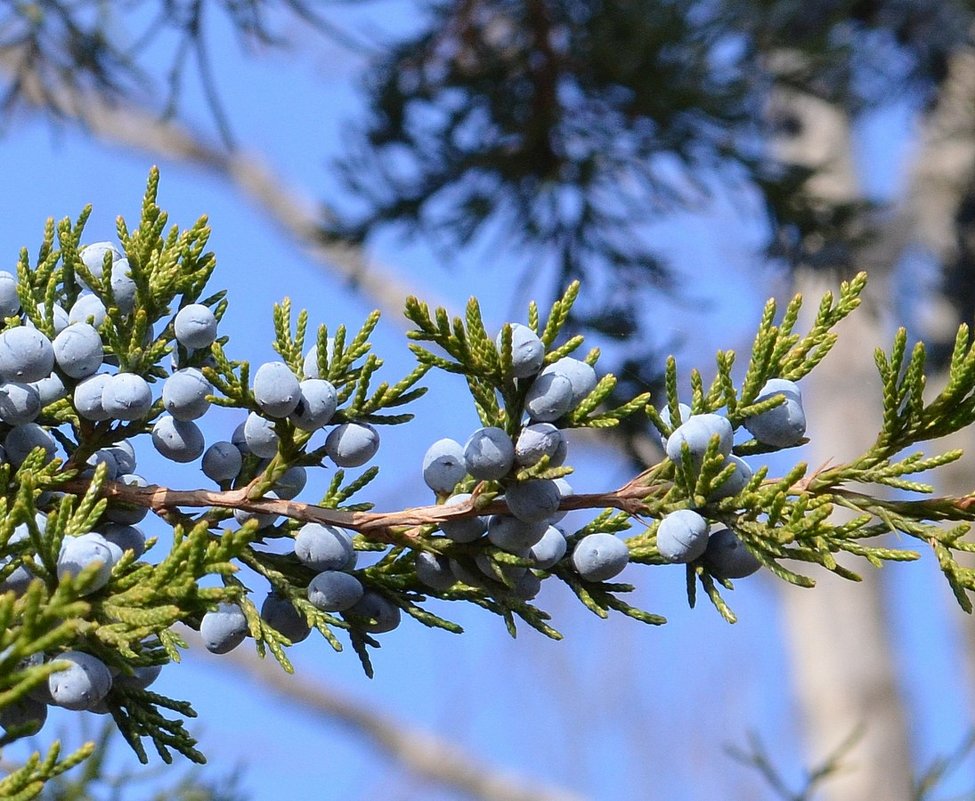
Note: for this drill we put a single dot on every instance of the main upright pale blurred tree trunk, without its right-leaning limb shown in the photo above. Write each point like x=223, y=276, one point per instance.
x=837, y=635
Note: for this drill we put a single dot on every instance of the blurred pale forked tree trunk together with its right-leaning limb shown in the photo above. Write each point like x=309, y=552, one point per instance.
x=838, y=635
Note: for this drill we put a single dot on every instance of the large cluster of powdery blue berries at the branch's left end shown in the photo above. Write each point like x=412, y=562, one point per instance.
x=76, y=367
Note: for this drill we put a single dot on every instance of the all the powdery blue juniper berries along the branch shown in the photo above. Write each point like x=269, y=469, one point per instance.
x=74, y=367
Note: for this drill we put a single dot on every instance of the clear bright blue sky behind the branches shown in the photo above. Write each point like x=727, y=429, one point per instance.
x=617, y=705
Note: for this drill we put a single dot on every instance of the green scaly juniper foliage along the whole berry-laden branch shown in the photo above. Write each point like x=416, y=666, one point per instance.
x=218, y=551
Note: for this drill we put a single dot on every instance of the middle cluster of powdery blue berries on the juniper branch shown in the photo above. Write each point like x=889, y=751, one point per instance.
x=529, y=529
